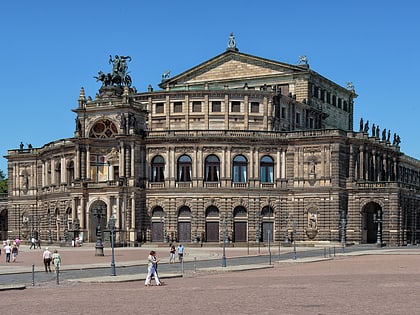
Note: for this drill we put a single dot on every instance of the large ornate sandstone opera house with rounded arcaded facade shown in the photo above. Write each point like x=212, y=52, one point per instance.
x=239, y=146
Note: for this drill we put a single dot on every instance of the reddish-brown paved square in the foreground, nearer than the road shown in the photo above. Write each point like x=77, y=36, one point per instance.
x=367, y=284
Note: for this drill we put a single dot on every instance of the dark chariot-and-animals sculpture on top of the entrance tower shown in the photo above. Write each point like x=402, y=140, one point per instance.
x=119, y=75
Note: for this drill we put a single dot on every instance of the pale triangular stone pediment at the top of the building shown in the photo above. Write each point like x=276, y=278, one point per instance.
x=232, y=66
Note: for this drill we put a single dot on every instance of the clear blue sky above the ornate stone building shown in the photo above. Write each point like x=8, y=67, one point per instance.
x=50, y=49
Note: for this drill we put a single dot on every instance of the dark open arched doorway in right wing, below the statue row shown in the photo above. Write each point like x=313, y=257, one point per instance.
x=370, y=213
